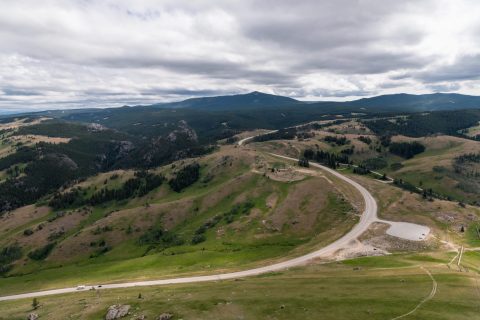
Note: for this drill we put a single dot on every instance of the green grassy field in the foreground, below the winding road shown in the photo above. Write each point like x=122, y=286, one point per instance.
x=367, y=288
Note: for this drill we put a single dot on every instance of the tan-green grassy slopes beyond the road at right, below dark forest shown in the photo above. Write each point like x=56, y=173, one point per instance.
x=433, y=168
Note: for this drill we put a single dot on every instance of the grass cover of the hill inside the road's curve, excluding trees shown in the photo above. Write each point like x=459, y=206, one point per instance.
x=287, y=219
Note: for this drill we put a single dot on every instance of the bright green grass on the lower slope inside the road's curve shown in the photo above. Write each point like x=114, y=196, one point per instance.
x=235, y=250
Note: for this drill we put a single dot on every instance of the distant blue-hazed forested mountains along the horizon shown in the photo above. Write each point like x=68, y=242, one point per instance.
x=255, y=103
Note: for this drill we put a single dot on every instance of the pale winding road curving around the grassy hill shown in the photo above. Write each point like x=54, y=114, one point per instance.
x=368, y=216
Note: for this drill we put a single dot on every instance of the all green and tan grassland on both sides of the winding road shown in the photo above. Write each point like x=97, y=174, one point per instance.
x=292, y=212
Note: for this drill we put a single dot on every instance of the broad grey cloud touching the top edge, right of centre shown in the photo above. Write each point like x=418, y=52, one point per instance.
x=320, y=25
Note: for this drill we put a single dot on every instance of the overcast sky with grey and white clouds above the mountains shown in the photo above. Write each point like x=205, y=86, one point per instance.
x=104, y=53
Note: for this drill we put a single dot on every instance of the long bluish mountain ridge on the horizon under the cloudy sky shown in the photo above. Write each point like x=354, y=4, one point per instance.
x=398, y=102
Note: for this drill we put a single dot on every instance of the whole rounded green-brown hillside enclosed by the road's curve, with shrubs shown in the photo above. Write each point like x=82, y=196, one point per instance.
x=236, y=213
